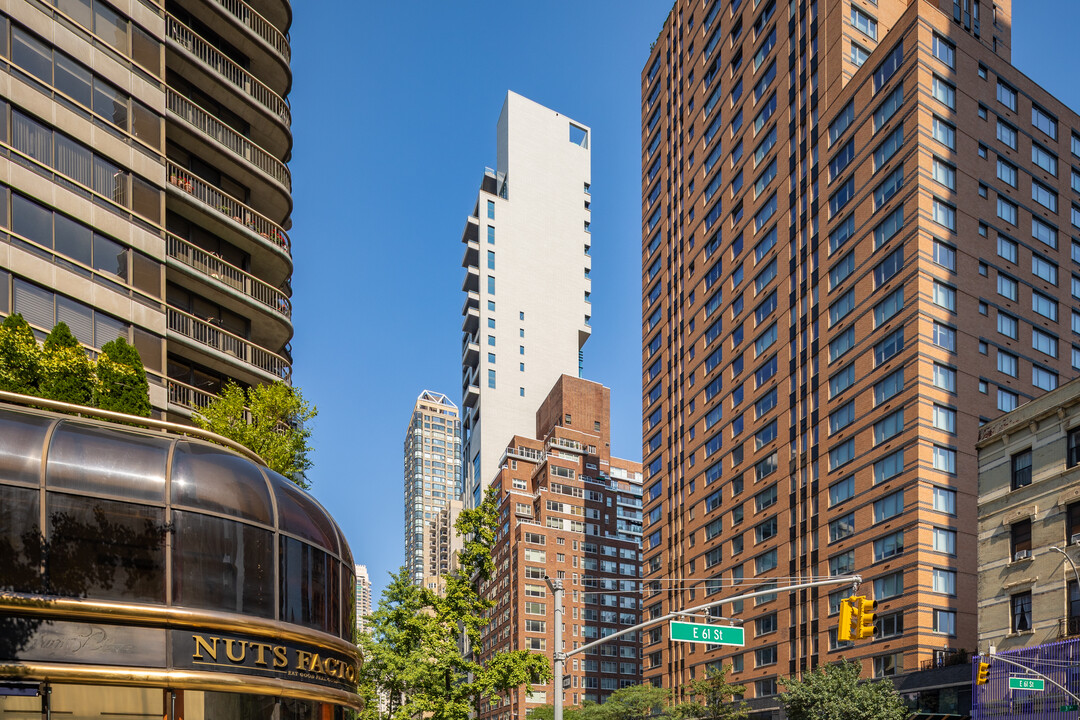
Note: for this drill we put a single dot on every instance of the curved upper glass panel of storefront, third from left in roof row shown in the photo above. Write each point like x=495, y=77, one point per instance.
x=214, y=480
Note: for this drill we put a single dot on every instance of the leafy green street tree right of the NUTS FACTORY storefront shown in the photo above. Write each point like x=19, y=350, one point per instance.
x=413, y=656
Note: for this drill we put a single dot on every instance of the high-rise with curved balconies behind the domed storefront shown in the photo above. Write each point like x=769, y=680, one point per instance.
x=145, y=188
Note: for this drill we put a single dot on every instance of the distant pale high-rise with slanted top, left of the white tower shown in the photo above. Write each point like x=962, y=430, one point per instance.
x=433, y=487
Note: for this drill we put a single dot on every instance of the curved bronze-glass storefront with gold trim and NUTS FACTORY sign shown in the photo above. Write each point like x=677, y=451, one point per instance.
x=151, y=575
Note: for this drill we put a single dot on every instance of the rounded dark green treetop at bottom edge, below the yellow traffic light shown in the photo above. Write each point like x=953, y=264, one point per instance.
x=835, y=692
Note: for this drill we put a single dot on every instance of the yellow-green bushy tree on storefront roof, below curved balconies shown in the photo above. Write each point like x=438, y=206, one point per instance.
x=269, y=420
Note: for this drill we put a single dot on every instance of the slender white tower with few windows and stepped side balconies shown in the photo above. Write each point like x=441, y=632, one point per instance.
x=528, y=308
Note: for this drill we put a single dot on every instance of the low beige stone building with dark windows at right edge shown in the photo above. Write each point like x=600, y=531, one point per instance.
x=1030, y=523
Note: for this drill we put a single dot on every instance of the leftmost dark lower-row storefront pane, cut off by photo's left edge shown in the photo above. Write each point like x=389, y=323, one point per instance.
x=20, y=547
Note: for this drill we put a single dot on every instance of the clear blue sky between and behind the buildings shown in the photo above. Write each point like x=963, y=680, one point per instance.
x=395, y=107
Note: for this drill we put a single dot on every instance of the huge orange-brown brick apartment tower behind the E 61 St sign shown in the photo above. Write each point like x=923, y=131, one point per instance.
x=858, y=246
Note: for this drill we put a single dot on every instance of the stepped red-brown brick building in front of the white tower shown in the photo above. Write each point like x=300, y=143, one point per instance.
x=570, y=511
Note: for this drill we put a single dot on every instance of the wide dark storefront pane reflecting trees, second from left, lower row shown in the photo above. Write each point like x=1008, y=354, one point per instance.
x=105, y=550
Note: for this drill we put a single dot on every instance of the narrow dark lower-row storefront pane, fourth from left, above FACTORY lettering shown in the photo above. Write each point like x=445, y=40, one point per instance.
x=306, y=586
